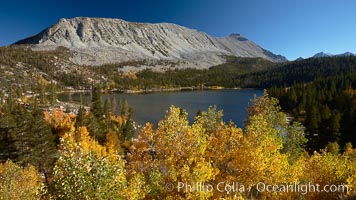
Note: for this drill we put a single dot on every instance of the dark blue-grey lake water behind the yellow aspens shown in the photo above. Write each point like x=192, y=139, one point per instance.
x=153, y=106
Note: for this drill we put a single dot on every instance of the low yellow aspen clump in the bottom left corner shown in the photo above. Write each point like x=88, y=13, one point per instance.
x=17, y=183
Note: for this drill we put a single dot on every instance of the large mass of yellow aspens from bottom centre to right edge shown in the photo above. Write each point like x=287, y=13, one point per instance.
x=211, y=152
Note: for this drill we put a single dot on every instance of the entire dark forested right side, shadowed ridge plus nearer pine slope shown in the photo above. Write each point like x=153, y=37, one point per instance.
x=318, y=92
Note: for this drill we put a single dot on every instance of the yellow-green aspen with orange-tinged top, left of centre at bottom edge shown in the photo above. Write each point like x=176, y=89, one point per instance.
x=87, y=170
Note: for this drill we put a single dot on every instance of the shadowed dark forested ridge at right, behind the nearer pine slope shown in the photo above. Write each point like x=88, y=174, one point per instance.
x=302, y=71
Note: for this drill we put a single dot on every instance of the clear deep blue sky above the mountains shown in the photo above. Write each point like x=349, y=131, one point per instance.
x=292, y=28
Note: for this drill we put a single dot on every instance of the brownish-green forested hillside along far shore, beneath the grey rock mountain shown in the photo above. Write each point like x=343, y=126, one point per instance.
x=23, y=69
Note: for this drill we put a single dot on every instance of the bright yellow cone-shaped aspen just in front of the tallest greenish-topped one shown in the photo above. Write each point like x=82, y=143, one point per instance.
x=259, y=158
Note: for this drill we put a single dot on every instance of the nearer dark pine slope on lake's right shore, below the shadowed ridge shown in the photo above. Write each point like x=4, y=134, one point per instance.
x=326, y=106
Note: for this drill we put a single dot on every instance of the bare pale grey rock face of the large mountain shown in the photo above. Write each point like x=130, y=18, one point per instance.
x=96, y=41
